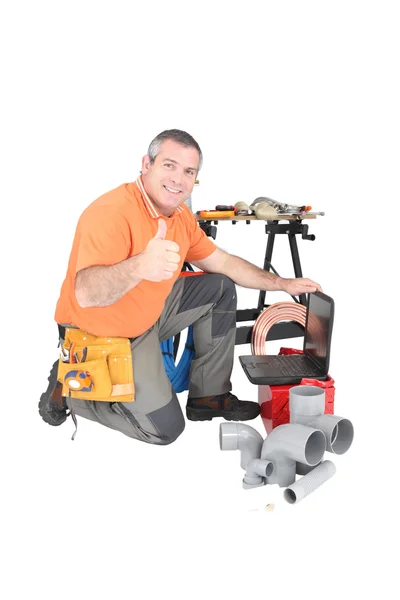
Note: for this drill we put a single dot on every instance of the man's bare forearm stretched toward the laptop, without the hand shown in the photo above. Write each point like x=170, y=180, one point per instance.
x=248, y=275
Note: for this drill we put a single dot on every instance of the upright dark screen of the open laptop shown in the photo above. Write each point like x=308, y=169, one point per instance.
x=319, y=325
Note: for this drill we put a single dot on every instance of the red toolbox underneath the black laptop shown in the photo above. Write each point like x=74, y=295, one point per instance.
x=274, y=399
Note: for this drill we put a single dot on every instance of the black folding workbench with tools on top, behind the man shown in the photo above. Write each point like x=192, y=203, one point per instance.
x=294, y=226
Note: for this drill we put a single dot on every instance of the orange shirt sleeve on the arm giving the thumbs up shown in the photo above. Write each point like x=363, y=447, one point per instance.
x=104, y=237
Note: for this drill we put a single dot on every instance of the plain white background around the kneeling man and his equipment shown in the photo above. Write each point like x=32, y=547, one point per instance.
x=297, y=101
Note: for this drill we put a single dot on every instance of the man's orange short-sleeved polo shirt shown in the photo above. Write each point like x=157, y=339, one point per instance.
x=114, y=227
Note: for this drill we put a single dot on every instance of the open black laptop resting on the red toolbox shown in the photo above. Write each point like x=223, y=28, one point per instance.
x=312, y=364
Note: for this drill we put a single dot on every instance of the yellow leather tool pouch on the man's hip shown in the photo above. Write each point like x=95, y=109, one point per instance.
x=96, y=368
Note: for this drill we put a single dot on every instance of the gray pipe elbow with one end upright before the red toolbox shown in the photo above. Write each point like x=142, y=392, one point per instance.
x=307, y=406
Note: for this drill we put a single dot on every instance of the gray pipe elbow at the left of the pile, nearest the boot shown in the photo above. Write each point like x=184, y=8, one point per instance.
x=237, y=436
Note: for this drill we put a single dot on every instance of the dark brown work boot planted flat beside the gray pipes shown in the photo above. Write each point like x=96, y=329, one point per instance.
x=225, y=405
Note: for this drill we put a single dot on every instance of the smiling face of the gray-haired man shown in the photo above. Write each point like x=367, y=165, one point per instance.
x=170, y=179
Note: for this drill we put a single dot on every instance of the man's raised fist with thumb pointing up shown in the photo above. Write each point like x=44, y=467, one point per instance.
x=161, y=257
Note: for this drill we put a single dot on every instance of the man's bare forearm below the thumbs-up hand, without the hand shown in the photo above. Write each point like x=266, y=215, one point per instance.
x=102, y=286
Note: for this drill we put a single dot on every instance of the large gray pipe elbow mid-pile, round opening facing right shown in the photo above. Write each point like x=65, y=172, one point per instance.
x=289, y=443
